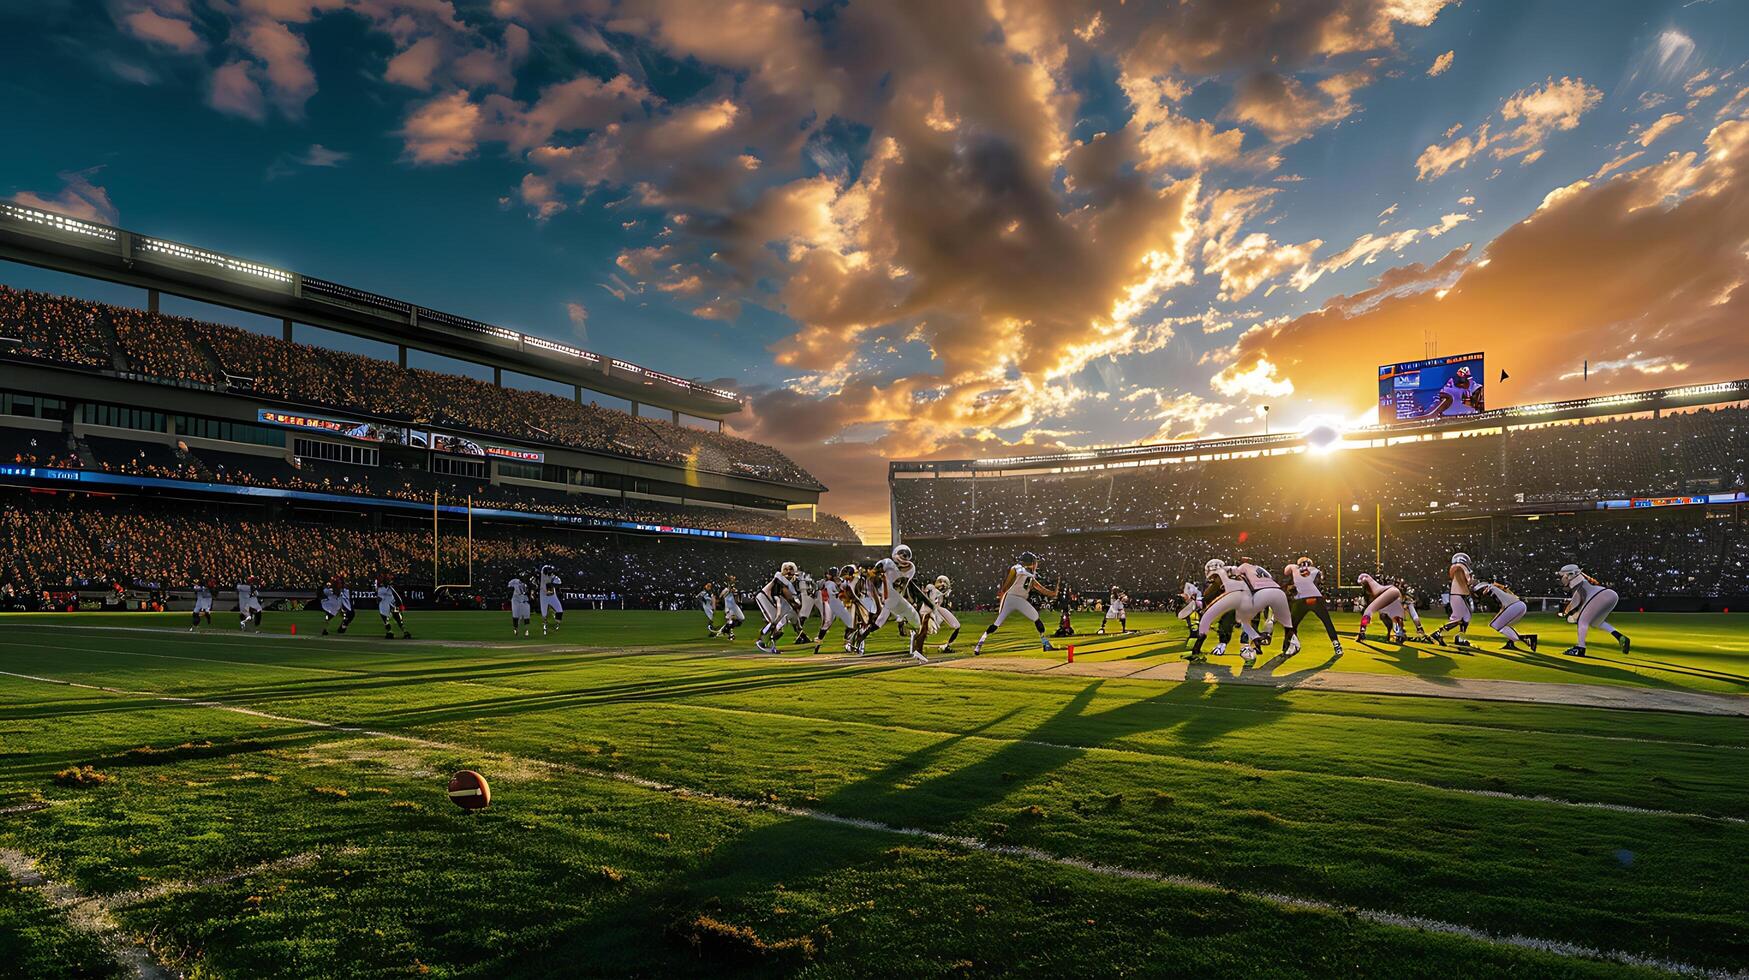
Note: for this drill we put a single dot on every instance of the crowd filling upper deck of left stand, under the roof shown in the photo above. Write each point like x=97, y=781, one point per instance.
x=183, y=351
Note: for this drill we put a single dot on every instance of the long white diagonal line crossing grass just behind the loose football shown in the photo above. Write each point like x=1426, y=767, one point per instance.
x=1535, y=944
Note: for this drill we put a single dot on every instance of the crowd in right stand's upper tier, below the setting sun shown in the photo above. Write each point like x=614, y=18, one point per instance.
x=1680, y=454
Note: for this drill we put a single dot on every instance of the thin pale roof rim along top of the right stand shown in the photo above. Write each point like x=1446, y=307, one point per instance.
x=1654, y=400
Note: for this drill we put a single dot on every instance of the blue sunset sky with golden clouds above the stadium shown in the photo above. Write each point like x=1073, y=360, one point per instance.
x=949, y=228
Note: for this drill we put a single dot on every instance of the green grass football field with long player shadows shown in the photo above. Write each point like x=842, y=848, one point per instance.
x=671, y=806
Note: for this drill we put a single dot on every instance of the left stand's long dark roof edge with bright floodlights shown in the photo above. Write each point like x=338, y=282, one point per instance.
x=81, y=248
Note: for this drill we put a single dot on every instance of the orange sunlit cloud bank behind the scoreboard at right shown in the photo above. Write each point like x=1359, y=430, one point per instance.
x=1643, y=276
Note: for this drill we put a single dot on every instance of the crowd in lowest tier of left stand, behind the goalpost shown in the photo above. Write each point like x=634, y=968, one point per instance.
x=150, y=545
